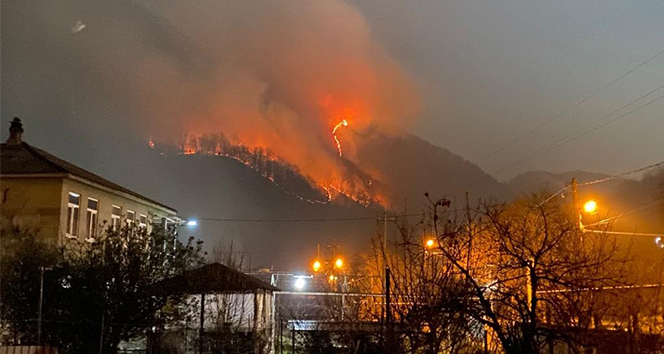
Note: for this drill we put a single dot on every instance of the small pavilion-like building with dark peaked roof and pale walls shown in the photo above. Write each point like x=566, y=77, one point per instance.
x=228, y=312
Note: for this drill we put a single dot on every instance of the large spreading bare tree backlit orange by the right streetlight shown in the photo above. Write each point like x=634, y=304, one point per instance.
x=522, y=261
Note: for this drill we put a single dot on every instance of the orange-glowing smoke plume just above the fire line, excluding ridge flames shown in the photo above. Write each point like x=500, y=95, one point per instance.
x=279, y=75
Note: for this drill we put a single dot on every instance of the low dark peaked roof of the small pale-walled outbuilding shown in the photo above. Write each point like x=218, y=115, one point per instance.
x=213, y=278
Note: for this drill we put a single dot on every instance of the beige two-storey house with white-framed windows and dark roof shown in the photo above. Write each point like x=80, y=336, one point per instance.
x=61, y=201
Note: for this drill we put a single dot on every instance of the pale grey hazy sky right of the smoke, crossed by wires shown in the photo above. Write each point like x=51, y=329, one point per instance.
x=494, y=70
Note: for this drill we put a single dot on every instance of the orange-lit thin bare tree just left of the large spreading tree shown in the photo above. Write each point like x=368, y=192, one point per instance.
x=429, y=299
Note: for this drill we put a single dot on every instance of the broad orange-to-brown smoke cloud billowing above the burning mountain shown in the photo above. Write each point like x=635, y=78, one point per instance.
x=276, y=75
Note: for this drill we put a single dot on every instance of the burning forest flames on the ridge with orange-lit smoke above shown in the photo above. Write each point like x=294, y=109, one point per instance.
x=304, y=116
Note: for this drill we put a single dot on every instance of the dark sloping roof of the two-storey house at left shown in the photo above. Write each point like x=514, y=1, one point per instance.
x=25, y=159
